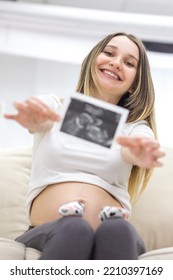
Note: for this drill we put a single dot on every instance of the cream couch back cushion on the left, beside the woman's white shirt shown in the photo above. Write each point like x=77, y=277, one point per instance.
x=15, y=166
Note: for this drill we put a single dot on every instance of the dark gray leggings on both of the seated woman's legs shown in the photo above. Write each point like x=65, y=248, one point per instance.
x=72, y=238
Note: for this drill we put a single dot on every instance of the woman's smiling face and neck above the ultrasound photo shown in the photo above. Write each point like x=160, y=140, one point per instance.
x=116, y=68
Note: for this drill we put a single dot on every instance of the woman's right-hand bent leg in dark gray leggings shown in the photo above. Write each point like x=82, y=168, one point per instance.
x=117, y=239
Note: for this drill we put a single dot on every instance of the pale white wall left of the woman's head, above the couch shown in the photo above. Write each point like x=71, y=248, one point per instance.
x=22, y=77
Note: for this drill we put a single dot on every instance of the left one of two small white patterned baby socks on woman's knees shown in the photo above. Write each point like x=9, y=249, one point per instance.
x=72, y=209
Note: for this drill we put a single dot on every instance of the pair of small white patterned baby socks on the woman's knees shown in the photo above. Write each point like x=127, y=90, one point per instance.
x=77, y=209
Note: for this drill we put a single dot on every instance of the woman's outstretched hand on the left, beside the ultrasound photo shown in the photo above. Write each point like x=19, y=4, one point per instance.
x=34, y=115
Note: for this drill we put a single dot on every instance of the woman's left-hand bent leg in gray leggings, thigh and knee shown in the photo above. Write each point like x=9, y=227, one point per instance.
x=67, y=233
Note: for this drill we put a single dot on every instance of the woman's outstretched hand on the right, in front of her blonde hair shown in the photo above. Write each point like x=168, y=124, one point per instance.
x=141, y=151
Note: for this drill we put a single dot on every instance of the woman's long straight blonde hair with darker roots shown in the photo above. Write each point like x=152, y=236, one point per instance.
x=140, y=103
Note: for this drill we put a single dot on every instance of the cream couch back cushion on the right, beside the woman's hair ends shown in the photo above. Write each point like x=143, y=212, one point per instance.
x=152, y=215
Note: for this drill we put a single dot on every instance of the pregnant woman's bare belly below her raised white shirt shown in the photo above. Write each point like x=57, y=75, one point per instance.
x=45, y=206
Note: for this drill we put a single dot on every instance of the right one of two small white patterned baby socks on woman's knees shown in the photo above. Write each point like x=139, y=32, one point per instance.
x=109, y=212
